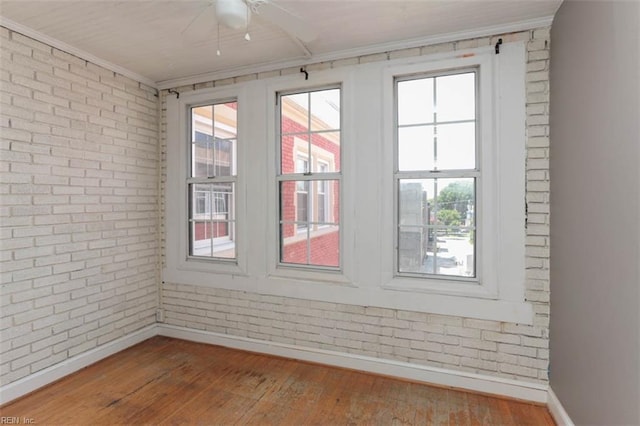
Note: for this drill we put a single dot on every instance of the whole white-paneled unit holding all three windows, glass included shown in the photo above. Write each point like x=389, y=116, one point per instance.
x=360, y=223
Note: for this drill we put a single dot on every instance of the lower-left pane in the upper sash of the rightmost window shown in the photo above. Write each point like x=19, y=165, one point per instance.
x=416, y=148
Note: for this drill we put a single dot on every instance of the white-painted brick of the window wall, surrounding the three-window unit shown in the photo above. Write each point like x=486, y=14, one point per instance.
x=486, y=347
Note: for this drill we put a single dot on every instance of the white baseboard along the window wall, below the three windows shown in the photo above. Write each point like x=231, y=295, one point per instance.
x=458, y=379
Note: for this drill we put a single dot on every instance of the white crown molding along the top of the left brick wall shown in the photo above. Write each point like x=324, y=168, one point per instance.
x=60, y=45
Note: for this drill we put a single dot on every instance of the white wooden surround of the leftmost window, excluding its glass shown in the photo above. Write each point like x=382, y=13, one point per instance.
x=178, y=259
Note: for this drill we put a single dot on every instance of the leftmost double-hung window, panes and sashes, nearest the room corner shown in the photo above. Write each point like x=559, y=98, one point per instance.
x=211, y=184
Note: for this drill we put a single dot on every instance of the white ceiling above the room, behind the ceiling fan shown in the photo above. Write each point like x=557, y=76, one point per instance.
x=153, y=40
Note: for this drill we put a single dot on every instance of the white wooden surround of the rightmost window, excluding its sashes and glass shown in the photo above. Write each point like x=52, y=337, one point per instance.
x=500, y=190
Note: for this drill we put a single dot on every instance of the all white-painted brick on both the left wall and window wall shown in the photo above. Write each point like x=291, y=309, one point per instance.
x=82, y=177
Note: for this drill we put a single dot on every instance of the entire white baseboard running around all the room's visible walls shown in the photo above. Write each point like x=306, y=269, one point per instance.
x=527, y=391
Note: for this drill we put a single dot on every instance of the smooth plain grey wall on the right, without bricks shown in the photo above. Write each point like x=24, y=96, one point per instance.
x=595, y=323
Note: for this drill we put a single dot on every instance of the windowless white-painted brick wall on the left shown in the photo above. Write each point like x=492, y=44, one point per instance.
x=79, y=196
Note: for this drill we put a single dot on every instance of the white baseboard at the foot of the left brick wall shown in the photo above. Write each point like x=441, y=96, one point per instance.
x=49, y=375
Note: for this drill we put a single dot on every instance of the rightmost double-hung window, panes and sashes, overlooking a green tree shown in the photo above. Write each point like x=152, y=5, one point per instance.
x=436, y=176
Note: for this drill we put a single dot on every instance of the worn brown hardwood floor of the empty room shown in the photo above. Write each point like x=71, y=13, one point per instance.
x=169, y=381
